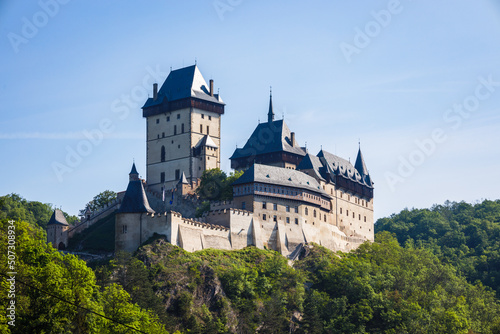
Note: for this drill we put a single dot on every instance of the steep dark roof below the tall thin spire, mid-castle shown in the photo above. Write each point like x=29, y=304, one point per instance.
x=269, y=137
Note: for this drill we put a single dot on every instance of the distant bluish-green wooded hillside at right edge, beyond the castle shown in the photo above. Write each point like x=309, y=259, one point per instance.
x=464, y=235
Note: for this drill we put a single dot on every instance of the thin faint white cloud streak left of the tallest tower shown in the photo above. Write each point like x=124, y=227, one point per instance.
x=66, y=135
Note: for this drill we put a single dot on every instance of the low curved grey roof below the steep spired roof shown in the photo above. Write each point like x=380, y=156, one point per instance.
x=280, y=176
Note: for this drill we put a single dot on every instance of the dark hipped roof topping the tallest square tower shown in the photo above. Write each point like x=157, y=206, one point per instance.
x=184, y=83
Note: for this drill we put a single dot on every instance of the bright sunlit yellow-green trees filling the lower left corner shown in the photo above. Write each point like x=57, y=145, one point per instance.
x=55, y=293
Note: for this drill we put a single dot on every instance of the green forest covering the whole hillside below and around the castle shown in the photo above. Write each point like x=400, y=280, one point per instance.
x=429, y=271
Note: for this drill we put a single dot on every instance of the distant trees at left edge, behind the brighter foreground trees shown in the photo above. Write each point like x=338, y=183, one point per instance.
x=15, y=207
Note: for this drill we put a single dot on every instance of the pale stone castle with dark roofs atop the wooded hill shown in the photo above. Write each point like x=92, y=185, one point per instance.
x=286, y=196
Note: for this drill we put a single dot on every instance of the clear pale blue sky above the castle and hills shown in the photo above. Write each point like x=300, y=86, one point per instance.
x=417, y=82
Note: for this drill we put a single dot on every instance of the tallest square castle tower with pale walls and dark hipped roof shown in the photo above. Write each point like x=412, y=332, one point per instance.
x=183, y=126
